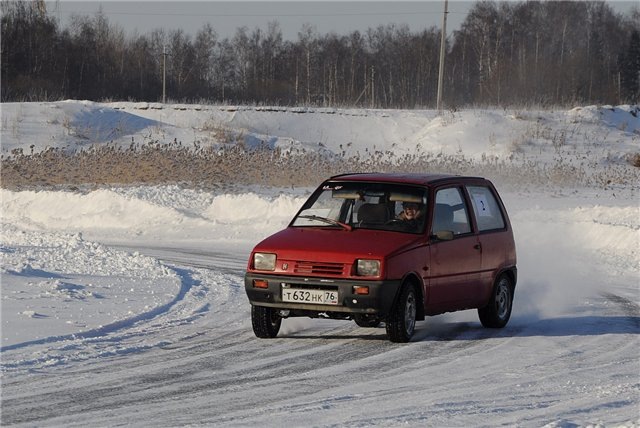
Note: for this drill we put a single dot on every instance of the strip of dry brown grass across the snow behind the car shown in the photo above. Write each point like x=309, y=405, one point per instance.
x=212, y=167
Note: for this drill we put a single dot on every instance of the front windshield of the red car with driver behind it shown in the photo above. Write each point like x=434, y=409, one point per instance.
x=363, y=205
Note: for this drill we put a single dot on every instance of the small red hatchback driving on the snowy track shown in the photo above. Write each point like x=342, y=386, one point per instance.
x=387, y=248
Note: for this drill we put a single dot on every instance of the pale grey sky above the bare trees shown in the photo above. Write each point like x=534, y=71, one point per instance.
x=341, y=17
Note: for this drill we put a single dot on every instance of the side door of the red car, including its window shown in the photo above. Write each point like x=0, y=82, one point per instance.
x=454, y=271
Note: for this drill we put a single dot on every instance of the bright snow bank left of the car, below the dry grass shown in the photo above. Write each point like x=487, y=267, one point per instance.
x=150, y=213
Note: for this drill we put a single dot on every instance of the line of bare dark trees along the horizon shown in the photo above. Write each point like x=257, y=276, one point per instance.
x=505, y=53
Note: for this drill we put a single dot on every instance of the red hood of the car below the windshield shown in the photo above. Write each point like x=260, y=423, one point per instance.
x=335, y=245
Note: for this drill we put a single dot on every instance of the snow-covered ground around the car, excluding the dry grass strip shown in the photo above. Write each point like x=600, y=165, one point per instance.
x=125, y=305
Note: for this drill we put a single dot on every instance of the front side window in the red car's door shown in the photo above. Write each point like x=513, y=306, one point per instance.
x=450, y=212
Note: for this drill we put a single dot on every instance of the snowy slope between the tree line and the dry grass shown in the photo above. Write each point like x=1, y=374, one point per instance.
x=597, y=132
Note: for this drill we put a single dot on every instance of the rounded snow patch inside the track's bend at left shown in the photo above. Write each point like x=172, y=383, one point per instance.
x=57, y=285
